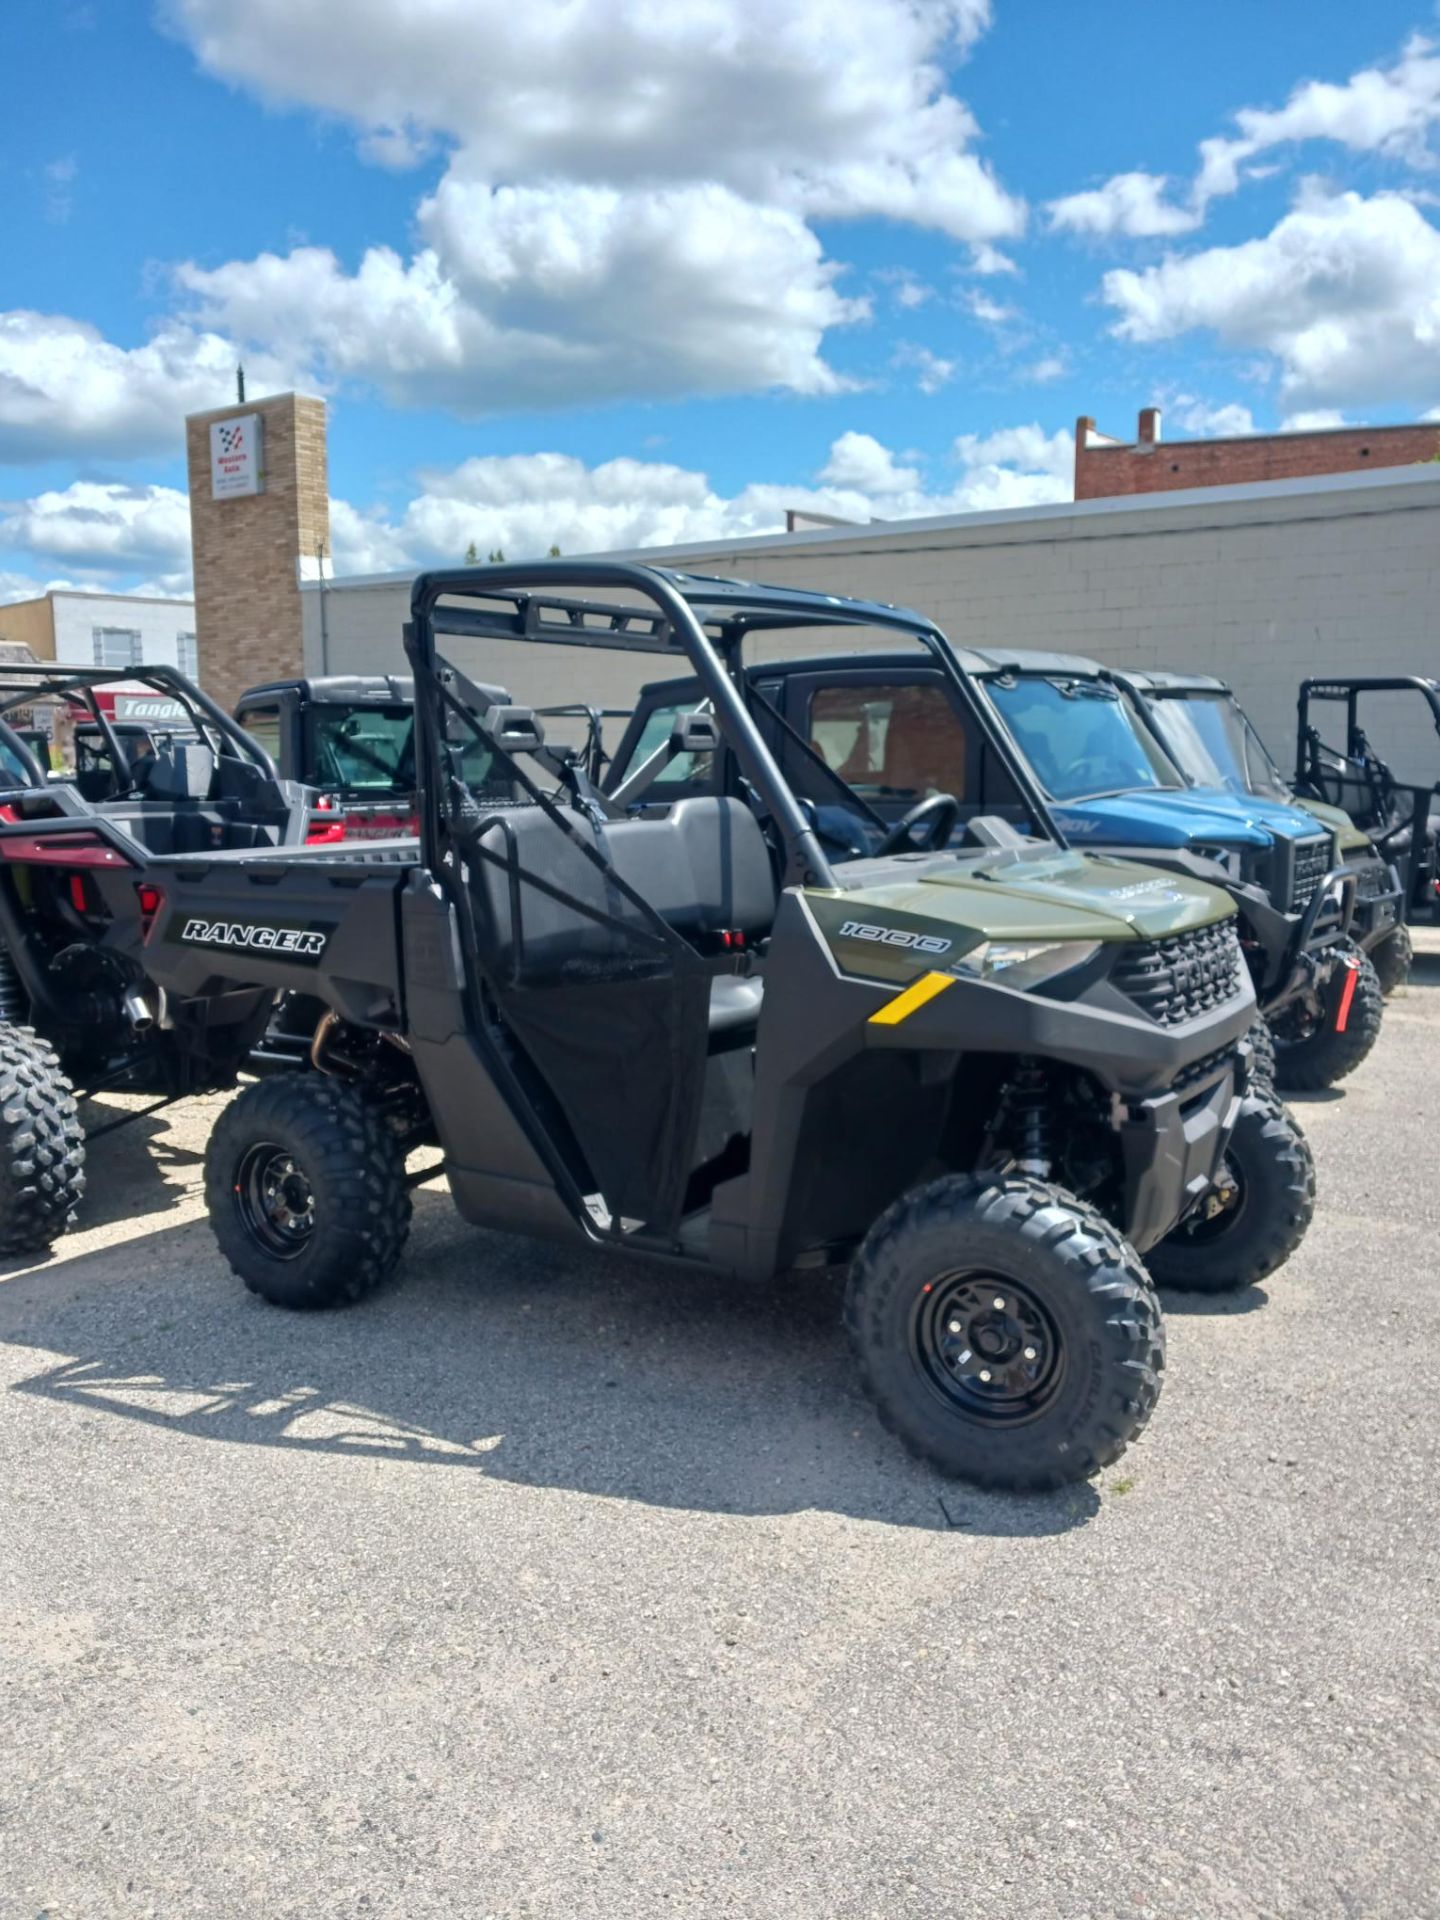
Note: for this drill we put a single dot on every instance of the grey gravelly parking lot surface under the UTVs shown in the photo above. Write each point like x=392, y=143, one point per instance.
x=560, y=1587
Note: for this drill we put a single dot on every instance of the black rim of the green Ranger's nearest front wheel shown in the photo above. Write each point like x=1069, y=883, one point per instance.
x=990, y=1347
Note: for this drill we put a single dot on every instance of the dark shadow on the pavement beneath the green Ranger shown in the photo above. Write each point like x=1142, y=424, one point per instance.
x=531, y=1364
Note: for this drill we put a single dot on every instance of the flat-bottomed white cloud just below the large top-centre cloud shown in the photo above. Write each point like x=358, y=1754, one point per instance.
x=544, y=297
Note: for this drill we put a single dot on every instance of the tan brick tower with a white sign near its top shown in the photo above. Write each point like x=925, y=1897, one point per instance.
x=260, y=508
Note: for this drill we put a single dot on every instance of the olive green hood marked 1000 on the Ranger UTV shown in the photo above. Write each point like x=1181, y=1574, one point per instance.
x=957, y=903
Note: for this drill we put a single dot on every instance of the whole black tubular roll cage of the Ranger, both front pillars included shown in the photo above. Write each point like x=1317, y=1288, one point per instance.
x=675, y=623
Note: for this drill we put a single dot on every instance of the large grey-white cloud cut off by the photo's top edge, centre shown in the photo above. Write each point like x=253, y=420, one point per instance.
x=828, y=108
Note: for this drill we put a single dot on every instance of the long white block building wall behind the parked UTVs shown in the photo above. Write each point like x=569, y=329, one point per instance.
x=1259, y=585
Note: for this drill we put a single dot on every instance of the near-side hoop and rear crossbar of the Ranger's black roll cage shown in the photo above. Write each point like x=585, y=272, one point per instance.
x=677, y=627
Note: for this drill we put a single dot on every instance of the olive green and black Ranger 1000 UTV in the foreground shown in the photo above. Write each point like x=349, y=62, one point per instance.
x=982, y=1076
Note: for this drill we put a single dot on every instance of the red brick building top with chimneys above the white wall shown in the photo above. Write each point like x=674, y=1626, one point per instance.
x=1147, y=466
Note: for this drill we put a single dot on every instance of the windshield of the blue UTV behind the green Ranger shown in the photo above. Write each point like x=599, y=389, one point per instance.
x=1080, y=738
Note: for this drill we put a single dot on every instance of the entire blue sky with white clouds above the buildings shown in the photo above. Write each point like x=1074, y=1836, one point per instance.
x=610, y=274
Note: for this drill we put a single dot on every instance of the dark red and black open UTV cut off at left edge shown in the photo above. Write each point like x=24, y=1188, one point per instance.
x=78, y=1011
